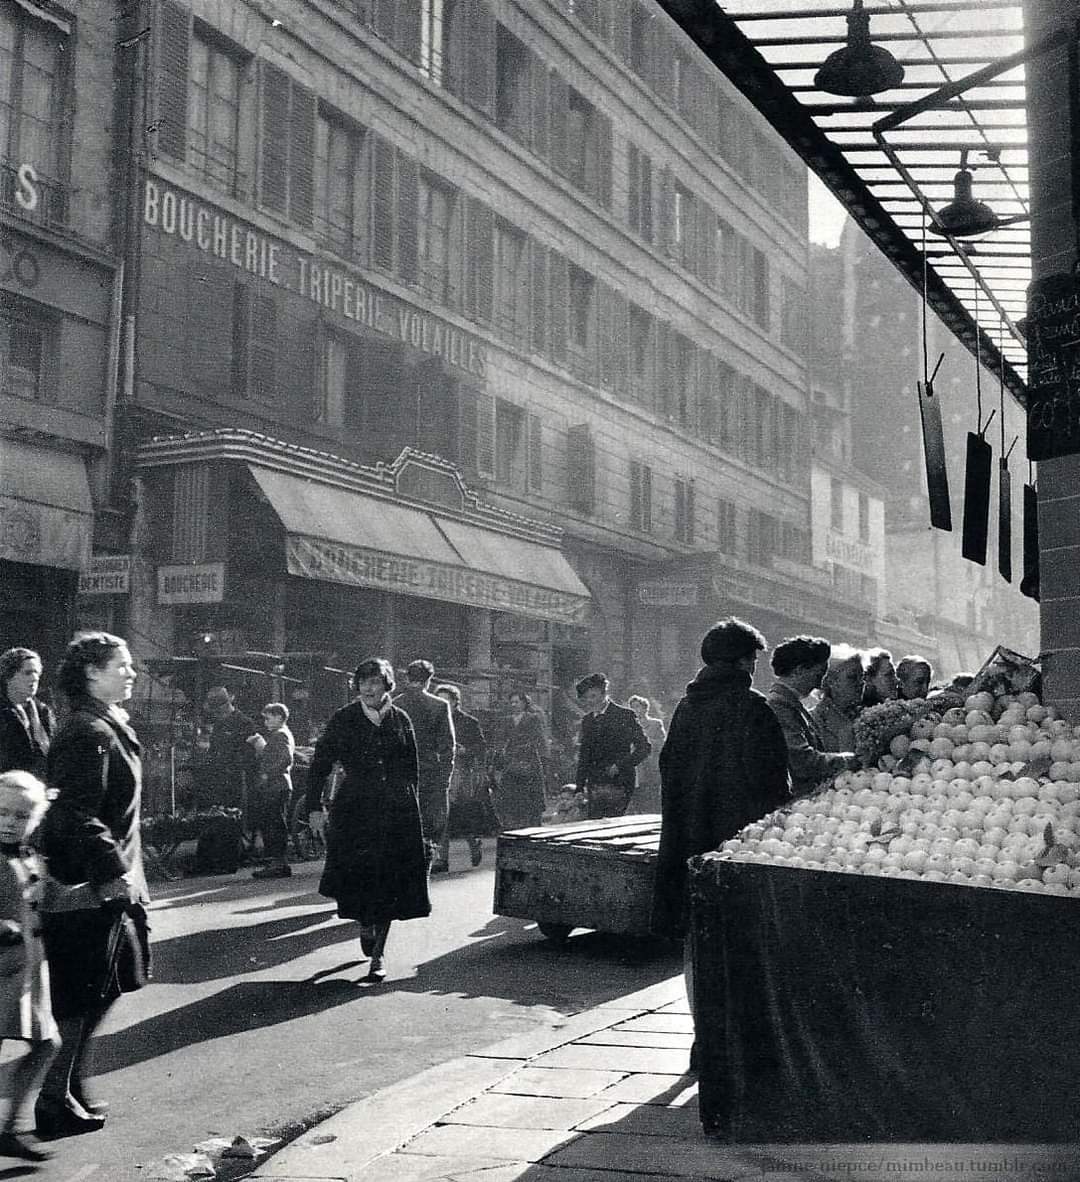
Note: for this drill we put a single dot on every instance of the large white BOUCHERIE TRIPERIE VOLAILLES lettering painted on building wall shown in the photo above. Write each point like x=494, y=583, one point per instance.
x=238, y=244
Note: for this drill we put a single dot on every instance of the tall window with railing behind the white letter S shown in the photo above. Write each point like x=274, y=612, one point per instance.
x=31, y=109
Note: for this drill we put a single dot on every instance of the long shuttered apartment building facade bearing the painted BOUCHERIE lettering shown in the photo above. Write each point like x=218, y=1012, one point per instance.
x=541, y=246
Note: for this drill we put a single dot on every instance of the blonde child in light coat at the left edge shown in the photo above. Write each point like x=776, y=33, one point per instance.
x=25, y=1011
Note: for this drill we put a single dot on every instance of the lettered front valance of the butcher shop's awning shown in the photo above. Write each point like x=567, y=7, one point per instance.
x=315, y=558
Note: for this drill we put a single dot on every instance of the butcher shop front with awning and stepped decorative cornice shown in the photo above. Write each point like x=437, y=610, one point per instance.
x=262, y=548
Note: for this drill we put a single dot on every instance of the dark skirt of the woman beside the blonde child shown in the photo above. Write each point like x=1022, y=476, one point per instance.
x=82, y=978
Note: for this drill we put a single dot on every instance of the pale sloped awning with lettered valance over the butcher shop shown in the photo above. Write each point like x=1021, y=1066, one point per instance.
x=346, y=536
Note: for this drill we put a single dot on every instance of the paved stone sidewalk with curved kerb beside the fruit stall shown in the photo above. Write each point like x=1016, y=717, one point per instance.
x=604, y=1097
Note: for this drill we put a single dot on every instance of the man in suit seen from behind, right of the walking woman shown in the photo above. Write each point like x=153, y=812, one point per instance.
x=434, y=730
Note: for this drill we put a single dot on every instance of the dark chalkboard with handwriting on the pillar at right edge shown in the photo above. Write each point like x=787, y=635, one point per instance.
x=1053, y=335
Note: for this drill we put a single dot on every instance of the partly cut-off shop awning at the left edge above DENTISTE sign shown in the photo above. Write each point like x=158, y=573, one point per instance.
x=47, y=511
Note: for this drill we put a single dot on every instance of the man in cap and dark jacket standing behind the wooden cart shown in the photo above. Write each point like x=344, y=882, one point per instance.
x=613, y=745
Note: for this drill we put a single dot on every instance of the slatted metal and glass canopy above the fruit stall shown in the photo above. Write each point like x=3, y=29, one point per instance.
x=772, y=49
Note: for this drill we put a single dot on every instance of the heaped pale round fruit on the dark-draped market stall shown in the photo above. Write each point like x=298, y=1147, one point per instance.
x=986, y=796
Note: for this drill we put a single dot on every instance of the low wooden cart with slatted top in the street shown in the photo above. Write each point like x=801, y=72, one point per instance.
x=589, y=874
